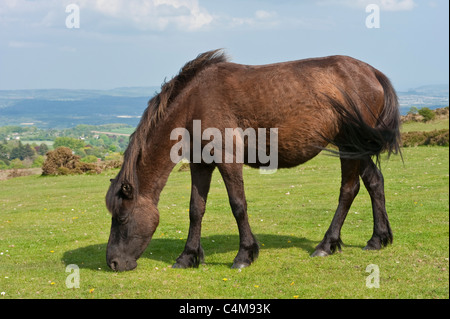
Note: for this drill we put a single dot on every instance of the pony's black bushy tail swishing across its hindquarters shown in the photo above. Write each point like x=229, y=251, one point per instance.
x=356, y=139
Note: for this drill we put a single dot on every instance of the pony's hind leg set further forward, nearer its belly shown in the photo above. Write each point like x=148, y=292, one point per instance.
x=349, y=190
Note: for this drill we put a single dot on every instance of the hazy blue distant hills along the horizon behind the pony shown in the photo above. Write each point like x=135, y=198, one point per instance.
x=60, y=108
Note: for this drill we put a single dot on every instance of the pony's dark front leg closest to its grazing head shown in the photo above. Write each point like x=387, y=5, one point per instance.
x=193, y=254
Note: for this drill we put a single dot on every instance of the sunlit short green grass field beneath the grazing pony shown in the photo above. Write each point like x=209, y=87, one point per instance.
x=47, y=223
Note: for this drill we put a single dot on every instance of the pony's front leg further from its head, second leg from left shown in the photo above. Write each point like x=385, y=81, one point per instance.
x=248, y=247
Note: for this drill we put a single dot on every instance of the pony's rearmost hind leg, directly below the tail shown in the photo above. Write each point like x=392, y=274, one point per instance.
x=374, y=183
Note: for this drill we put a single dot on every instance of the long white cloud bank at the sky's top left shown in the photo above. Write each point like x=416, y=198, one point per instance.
x=186, y=15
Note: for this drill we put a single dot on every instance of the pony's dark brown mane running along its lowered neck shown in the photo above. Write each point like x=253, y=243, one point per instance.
x=157, y=107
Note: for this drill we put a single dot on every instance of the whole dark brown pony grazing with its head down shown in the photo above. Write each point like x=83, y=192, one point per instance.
x=311, y=102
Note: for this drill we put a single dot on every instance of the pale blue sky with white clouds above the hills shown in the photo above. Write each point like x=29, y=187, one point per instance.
x=105, y=44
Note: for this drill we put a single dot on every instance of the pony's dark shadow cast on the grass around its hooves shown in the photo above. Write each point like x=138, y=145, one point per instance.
x=168, y=249
